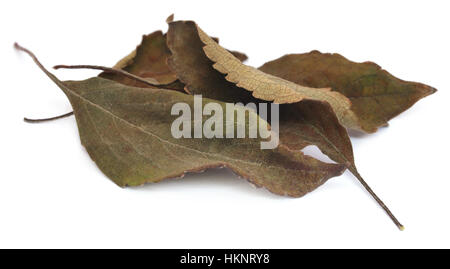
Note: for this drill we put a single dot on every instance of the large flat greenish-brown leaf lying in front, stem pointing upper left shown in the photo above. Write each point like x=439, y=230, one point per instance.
x=126, y=131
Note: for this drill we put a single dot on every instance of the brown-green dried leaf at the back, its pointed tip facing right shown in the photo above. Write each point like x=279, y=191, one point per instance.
x=376, y=95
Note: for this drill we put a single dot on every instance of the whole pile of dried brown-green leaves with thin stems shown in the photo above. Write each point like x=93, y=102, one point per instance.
x=124, y=116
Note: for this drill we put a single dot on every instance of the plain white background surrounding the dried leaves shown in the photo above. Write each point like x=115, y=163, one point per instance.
x=53, y=195
